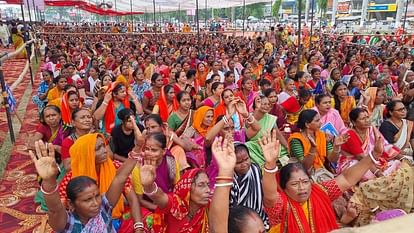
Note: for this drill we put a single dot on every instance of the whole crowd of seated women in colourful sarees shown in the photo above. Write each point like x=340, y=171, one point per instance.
x=174, y=133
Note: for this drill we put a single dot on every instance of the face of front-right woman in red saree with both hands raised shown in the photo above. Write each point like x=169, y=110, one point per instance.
x=298, y=186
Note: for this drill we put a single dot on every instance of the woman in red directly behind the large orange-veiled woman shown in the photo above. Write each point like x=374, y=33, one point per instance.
x=82, y=124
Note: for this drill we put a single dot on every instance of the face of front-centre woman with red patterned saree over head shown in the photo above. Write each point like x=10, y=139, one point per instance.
x=200, y=190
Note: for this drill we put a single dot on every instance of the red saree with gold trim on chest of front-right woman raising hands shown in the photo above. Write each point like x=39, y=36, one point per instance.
x=321, y=217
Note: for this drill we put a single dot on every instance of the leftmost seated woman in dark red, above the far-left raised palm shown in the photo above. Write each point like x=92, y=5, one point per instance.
x=51, y=129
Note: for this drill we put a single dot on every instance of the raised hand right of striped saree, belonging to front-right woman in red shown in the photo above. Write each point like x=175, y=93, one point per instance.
x=270, y=147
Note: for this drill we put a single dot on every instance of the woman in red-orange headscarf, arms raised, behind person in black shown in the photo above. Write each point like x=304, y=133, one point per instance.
x=116, y=99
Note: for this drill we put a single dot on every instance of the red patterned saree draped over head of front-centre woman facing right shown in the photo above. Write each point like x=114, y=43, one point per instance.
x=181, y=204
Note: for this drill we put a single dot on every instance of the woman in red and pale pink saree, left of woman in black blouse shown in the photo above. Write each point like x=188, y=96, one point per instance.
x=362, y=143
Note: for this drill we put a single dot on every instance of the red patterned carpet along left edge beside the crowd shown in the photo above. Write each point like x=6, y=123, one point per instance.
x=18, y=213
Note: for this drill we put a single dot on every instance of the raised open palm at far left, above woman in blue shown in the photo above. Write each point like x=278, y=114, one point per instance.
x=44, y=160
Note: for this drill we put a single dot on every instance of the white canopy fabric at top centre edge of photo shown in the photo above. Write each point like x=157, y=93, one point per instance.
x=173, y=5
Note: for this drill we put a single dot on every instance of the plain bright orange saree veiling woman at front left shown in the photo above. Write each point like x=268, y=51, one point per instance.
x=83, y=154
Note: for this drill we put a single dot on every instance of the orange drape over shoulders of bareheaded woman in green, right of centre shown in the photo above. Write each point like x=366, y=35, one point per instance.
x=320, y=139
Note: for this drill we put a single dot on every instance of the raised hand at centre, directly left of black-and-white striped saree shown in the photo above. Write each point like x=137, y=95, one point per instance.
x=223, y=151
